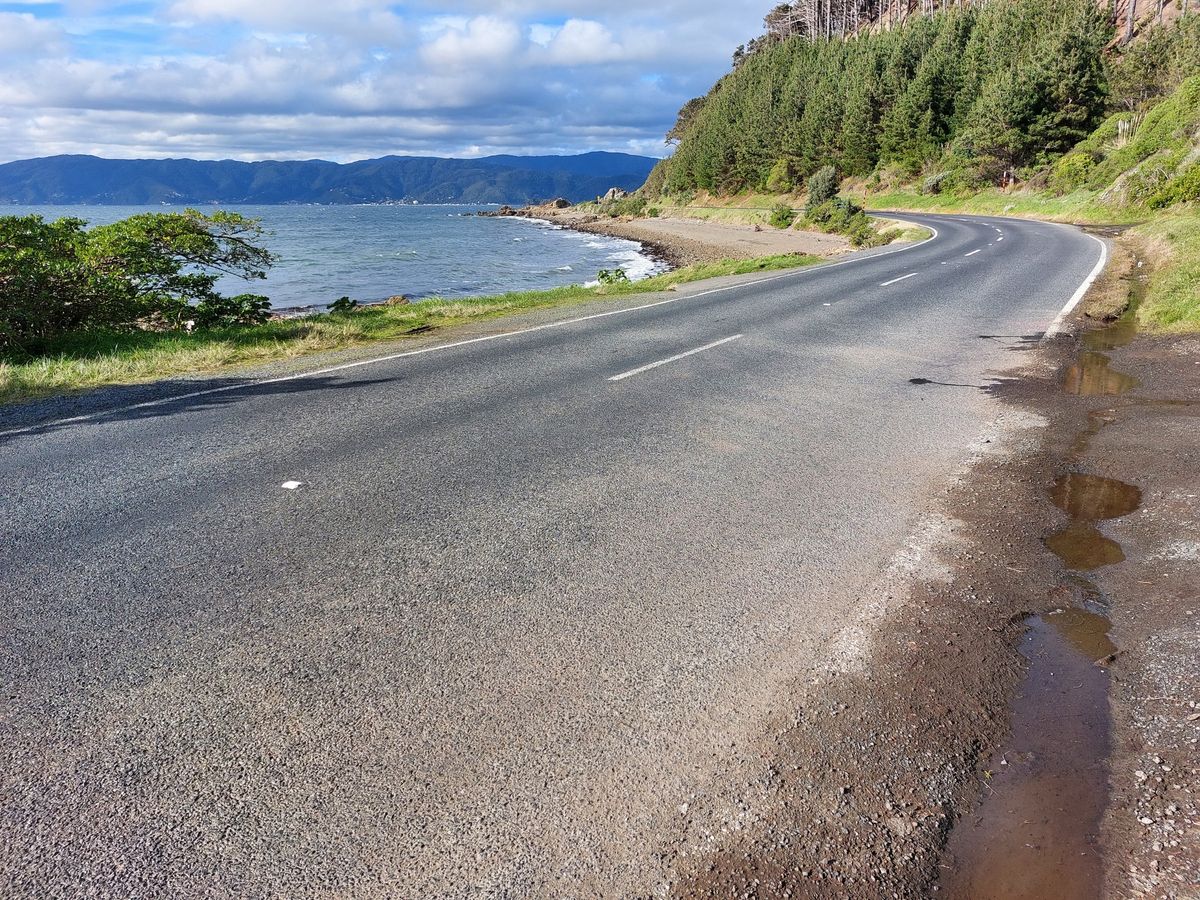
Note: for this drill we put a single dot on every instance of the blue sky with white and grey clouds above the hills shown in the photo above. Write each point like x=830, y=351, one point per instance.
x=350, y=80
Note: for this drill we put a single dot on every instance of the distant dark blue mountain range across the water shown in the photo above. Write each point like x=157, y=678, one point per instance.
x=491, y=179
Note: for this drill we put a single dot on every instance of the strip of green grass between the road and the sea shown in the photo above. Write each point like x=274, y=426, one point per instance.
x=94, y=361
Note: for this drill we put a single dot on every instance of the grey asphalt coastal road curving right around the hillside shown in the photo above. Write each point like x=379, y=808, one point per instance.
x=520, y=599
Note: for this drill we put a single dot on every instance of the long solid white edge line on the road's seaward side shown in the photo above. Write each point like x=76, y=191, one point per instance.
x=346, y=367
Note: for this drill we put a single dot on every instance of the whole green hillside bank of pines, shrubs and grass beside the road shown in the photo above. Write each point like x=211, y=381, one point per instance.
x=1025, y=107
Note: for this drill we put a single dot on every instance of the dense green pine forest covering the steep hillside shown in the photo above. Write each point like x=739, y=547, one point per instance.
x=959, y=99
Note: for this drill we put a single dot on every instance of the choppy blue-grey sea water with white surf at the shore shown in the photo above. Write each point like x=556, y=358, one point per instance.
x=373, y=253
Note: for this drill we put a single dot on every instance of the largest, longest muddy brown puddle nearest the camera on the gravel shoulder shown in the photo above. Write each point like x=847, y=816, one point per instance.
x=1035, y=835
